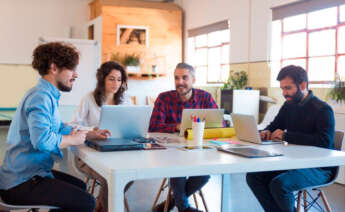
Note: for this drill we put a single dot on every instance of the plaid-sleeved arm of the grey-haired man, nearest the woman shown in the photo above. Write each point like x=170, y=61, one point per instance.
x=158, y=118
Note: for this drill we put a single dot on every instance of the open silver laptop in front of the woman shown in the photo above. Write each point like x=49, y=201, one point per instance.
x=125, y=121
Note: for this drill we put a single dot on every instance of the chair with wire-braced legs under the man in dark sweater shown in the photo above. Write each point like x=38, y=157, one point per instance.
x=307, y=204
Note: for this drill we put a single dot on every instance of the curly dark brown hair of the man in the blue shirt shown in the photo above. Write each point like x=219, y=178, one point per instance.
x=63, y=55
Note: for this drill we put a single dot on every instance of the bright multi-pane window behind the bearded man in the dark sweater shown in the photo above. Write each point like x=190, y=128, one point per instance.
x=314, y=40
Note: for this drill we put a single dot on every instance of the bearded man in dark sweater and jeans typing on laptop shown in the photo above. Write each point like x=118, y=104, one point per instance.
x=303, y=119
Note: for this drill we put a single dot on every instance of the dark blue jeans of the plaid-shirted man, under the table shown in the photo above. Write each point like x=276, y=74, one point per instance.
x=183, y=188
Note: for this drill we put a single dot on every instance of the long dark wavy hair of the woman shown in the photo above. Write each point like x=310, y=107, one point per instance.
x=102, y=73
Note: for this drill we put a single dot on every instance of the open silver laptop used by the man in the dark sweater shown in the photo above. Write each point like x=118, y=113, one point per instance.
x=247, y=130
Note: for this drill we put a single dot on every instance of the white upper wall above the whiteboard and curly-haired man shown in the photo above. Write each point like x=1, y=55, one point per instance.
x=23, y=21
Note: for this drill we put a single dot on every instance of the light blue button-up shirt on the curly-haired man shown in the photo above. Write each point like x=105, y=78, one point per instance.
x=34, y=137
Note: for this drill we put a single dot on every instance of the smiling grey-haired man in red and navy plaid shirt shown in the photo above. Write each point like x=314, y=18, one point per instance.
x=166, y=117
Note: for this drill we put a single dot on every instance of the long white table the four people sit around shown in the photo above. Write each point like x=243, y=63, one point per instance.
x=118, y=168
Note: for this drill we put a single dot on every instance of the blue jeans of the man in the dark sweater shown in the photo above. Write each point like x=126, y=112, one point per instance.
x=274, y=190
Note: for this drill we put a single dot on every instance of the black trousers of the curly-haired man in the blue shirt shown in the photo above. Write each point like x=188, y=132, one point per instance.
x=65, y=191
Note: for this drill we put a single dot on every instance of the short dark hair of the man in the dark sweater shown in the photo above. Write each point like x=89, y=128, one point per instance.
x=296, y=73
